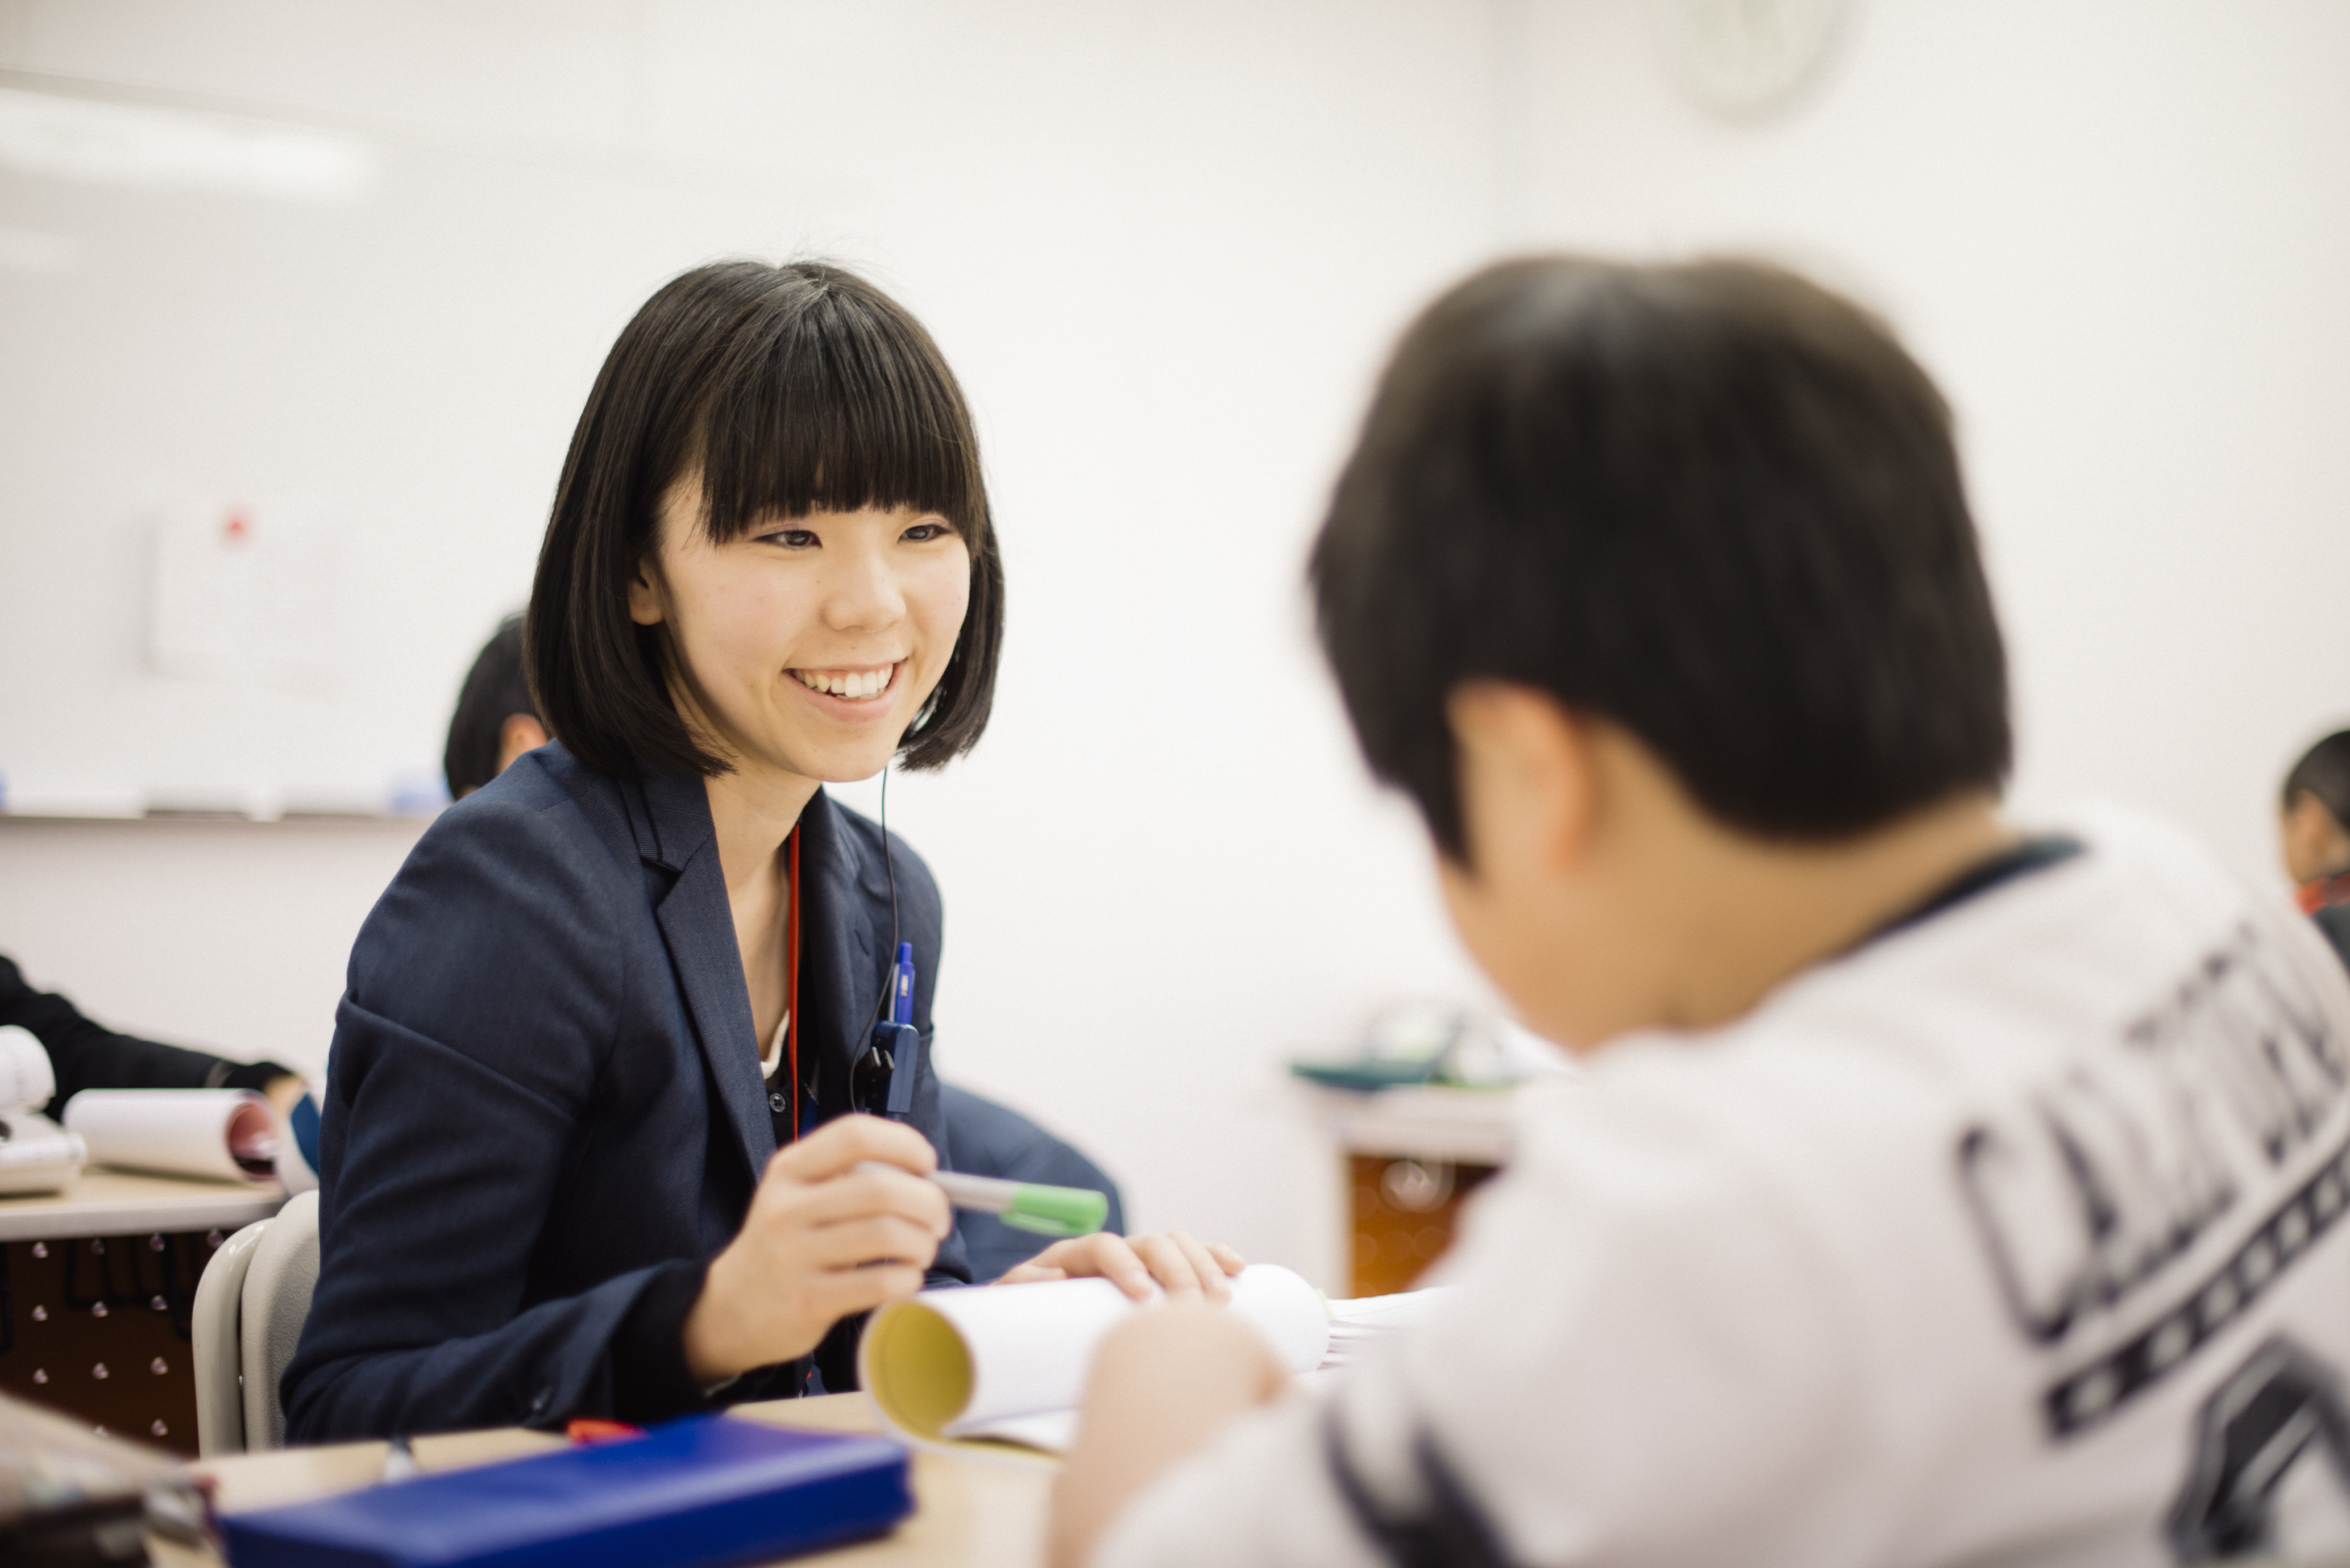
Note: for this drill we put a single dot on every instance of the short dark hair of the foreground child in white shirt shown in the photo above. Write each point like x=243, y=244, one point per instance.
x=1712, y=504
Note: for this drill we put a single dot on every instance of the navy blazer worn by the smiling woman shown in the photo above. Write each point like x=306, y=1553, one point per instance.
x=544, y=1104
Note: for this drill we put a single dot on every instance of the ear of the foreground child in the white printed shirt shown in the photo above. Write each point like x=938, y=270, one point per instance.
x=1529, y=779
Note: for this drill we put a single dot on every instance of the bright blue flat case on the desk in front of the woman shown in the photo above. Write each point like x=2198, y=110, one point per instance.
x=692, y=1494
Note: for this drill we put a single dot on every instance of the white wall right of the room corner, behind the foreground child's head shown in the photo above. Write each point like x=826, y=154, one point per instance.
x=2119, y=234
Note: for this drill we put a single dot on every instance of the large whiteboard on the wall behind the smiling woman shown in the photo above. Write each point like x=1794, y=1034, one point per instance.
x=276, y=445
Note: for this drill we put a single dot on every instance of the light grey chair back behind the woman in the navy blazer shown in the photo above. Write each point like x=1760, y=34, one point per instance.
x=250, y=1308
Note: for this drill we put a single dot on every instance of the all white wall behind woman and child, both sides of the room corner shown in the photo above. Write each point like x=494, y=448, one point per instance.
x=1164, y=248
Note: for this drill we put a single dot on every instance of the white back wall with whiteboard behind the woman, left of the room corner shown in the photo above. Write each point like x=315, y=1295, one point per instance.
x=1162, y=246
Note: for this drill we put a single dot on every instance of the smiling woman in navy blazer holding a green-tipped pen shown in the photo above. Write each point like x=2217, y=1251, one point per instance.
x=593, y=1139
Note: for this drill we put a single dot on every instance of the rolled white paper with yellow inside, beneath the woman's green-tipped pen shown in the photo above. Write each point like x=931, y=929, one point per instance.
x=988, y=1360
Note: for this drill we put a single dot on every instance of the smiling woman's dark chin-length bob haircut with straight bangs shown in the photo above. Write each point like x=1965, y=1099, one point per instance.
x=791, y=389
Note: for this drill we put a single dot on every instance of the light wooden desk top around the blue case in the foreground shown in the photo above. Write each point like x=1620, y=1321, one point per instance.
x=969, y=1513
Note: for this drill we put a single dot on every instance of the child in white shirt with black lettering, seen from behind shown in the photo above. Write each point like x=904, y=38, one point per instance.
x=1940, y=1191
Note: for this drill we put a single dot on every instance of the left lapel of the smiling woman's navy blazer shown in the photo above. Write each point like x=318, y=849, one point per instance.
x=697, y=923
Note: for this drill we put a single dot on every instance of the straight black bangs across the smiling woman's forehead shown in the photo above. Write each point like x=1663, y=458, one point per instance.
x=833, y=403
